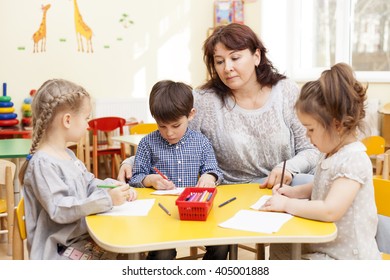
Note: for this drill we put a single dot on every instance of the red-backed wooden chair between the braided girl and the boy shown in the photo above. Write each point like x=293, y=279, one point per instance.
x=105, y=147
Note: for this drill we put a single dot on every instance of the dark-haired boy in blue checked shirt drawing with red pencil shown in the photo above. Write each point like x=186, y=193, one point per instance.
x=181, y=154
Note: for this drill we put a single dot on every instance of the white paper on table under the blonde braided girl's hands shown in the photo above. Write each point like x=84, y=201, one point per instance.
x=140, y=207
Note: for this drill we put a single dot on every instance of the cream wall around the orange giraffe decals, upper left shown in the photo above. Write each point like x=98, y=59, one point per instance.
x=164, y=42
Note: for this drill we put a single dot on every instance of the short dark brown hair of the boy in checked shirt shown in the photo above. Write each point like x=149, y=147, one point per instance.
x=169, y=101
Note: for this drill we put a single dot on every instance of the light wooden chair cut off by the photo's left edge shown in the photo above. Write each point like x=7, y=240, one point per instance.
x=7, y=201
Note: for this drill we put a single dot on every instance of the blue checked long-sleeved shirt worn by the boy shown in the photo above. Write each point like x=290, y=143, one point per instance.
x=182, y=162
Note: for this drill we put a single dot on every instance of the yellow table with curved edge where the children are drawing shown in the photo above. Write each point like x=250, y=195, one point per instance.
x=161, y=231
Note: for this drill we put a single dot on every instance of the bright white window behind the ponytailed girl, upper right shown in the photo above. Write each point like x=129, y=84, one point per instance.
x=324, y=32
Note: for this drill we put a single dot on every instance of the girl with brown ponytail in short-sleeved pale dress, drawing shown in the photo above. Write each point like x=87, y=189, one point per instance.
x=332, y=110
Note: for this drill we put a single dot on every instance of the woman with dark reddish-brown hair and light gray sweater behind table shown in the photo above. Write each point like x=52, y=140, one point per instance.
x=246, y=110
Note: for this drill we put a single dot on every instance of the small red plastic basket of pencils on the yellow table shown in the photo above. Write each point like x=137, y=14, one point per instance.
x=195, y=210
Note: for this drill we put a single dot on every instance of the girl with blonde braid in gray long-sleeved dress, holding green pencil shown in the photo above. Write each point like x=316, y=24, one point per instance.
x=57, y=188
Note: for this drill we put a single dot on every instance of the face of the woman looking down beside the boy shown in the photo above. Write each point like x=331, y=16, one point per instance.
x=235, y=68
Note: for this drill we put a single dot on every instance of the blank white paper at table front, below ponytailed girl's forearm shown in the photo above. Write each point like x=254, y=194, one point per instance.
x=257, y=221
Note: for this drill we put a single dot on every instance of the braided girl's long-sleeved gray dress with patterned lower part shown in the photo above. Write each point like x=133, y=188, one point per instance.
x=58, y=195
